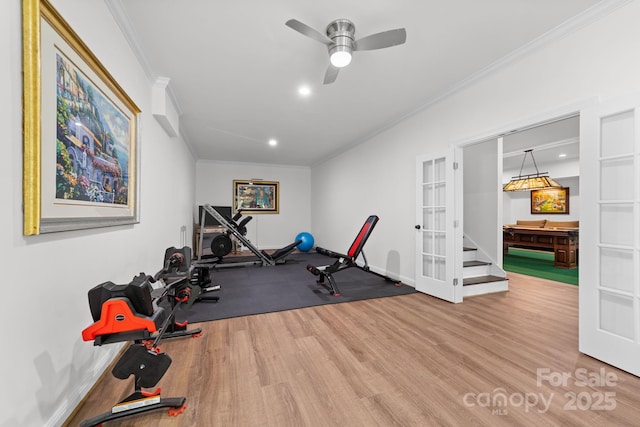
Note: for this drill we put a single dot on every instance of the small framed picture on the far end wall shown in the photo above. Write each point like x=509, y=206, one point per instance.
x=256, y=196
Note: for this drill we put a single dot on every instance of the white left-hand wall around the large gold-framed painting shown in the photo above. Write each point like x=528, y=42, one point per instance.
x=46, y=367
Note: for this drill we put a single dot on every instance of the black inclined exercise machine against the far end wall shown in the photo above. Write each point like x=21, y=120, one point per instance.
x=221, y=244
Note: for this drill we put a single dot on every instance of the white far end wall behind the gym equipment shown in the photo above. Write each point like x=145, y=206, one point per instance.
x=214, y=185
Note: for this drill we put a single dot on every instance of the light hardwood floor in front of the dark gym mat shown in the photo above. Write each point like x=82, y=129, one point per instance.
x=409, y=360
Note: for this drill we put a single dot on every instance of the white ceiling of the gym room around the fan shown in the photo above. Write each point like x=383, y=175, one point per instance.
x=234, y=68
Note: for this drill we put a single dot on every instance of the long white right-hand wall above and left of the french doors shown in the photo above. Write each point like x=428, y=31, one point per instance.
x=598, y=60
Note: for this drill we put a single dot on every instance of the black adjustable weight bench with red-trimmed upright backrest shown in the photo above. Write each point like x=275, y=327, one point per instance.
x=346, y=261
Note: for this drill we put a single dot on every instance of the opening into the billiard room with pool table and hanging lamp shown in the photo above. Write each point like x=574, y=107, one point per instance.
x=550, y=253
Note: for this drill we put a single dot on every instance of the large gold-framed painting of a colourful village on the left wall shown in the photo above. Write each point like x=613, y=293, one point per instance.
x=80, y=148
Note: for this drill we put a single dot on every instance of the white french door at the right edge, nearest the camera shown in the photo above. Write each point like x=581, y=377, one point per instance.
x=610, y=233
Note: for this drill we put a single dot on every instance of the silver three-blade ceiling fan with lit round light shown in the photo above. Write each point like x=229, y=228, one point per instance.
x=341, y=42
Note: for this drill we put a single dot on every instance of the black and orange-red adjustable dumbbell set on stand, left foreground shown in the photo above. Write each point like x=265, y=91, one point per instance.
x=137, y=312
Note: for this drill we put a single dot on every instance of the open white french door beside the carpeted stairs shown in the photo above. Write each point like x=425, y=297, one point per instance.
x=438, y=228
